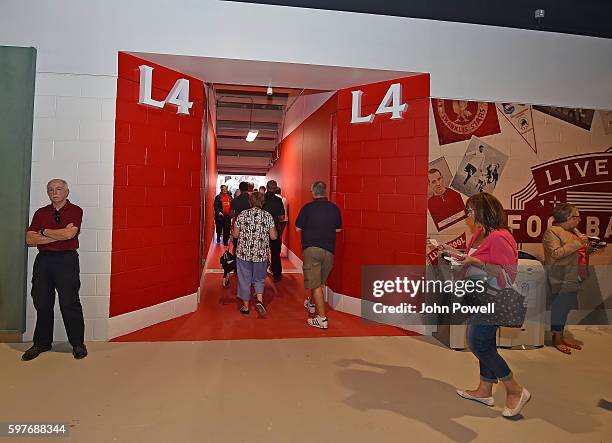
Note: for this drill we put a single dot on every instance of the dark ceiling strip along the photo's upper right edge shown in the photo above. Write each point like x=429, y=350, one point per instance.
x=581, y=17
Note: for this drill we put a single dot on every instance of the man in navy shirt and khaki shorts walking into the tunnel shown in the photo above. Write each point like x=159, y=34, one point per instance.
x=319, y=221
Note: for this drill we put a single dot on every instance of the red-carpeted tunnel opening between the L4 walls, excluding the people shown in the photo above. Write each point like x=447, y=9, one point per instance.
x=296, y=142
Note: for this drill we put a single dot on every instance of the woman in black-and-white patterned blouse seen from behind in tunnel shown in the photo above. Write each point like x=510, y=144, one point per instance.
x=254, y=228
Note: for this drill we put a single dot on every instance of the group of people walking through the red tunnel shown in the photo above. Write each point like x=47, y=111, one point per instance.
x=256, y=221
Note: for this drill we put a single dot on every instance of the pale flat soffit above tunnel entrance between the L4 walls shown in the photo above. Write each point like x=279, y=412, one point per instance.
x=261, y=73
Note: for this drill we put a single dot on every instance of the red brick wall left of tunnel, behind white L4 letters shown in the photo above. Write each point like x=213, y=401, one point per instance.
x=157, y=192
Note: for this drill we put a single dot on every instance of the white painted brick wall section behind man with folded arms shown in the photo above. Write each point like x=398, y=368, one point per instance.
x=74, y=132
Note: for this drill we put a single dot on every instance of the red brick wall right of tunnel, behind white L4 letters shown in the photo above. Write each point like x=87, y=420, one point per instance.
x=380, y=175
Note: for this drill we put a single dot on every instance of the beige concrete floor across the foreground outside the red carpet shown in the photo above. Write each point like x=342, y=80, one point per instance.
x=372, y=389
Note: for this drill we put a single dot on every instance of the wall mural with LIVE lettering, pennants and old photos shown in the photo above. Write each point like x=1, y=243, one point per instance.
x=530, y=157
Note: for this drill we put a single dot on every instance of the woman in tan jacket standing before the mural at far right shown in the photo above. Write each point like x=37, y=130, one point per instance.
x=565, y=250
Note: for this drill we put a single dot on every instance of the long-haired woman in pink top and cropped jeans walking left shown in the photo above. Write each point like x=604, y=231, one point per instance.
x=491, y=252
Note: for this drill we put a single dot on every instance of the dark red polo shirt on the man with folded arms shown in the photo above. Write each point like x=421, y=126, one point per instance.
x=44, y=218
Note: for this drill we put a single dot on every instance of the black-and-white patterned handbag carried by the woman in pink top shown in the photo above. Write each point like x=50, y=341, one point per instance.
x=510, y=309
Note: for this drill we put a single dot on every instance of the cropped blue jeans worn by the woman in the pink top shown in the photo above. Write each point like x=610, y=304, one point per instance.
x=482, y=343
